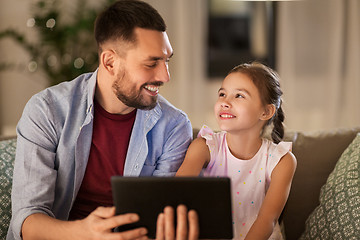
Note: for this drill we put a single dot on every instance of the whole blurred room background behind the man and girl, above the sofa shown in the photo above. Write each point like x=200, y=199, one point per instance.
x=313, y=44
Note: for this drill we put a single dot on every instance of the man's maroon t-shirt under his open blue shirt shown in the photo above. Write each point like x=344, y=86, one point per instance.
x=110, y=140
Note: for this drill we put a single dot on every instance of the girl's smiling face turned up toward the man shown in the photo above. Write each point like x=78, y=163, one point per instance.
x=239, y=106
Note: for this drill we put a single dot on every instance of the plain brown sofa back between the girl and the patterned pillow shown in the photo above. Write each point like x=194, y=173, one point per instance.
x=317, y=154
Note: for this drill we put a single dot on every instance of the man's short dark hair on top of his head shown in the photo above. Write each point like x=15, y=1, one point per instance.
x=119, y=20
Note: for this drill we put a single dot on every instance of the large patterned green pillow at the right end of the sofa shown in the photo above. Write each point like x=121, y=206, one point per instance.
x=338, y=214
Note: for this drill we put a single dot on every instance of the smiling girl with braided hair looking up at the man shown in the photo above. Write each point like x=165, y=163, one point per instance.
x=261, y=171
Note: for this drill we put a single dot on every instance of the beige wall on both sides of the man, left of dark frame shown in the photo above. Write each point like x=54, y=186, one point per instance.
x=186, y=89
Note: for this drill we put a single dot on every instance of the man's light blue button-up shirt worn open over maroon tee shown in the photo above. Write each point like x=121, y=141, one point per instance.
x=54, y=139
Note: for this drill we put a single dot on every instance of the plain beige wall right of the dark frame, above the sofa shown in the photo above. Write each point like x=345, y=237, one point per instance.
x=318, y=59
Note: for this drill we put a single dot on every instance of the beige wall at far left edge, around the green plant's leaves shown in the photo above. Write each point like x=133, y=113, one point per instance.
x=16, y=86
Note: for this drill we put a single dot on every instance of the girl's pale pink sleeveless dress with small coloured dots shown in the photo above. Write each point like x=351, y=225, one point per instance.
x=250, y=179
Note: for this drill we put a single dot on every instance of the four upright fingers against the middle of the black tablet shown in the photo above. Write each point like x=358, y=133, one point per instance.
x=187, y=224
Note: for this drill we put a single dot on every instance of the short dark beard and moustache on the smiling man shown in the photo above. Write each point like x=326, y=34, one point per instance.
x=132, y=97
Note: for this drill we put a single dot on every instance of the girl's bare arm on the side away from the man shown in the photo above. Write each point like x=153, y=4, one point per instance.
x=275, y=198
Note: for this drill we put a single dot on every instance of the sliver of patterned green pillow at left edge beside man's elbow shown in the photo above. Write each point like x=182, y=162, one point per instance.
x=7, y=157
